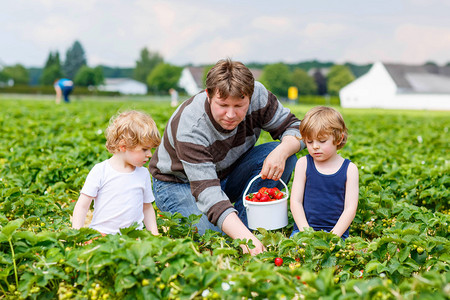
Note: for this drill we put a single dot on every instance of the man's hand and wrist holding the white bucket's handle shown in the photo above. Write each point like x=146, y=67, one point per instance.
x=275, y=162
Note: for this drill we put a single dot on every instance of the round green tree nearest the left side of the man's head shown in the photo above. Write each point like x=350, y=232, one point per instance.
x=163, y=77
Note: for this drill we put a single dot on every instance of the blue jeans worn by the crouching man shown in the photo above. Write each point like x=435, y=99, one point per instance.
x=177, y=197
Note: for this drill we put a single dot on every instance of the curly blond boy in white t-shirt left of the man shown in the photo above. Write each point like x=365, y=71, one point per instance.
x=121, y=186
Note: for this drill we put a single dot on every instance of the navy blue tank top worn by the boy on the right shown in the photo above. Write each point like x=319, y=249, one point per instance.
x=324, y=196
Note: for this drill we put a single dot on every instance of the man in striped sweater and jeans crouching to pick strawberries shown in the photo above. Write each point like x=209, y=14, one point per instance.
x=208, y=153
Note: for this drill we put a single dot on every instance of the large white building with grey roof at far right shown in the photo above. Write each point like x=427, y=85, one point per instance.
x=396, y=86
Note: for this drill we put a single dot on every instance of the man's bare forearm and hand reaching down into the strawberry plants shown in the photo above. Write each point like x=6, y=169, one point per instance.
x=235, y=229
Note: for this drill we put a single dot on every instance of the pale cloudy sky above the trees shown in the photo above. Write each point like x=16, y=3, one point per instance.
x=113, y=32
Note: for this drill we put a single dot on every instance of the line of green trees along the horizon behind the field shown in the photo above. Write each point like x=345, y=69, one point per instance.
x=310, y=78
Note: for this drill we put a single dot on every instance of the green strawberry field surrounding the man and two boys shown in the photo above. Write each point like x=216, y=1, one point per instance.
x=398, y=248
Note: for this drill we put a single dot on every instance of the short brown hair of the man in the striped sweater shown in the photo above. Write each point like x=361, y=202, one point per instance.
x=230, y=78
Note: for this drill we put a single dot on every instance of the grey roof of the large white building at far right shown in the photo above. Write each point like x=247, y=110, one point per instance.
x=420, y=79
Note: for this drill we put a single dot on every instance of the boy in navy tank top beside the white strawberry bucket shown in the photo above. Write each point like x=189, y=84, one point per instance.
x=325, y=189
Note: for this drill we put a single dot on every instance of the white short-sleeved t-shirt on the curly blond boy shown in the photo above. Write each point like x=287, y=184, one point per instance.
x=120, y=197
